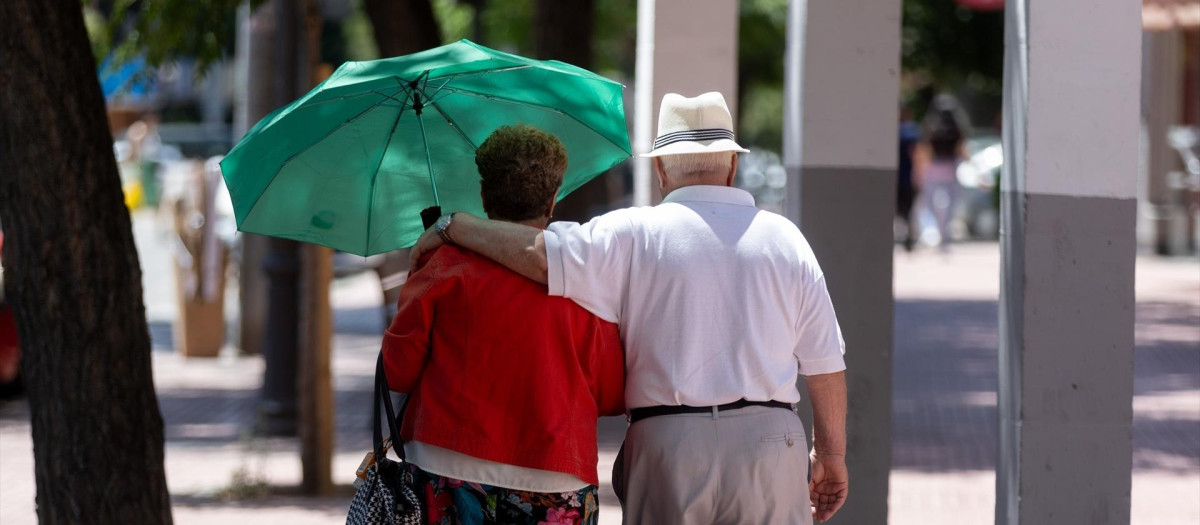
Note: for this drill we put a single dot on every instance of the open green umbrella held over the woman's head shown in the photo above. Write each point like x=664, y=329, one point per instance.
x=352, y=164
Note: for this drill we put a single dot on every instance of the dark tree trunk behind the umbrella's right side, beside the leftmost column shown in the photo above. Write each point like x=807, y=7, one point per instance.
x=565, y=32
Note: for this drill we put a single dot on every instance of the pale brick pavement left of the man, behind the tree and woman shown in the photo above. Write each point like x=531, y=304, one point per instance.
x=215, y=470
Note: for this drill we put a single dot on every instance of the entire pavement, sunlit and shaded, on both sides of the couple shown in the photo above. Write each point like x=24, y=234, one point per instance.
x=945, y=405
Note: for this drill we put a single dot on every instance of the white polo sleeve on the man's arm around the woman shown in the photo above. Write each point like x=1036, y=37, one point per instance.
x=590, y=263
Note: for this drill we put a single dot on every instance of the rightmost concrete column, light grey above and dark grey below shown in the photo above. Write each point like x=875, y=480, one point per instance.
x=1067, y=301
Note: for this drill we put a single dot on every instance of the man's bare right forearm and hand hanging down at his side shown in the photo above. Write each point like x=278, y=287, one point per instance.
x=831, y=480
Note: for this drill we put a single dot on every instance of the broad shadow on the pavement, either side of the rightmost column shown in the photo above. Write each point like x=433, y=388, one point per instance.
x=945, y=382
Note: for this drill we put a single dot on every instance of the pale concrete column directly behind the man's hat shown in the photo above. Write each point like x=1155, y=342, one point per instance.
x=688, y=47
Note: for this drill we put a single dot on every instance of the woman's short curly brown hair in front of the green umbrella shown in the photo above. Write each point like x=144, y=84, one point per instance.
x=520, y=170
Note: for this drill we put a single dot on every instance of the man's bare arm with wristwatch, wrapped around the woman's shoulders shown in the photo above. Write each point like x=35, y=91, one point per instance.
x=519, y=248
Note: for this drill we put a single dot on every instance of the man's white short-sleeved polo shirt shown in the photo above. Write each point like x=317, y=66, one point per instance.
x=717, y=300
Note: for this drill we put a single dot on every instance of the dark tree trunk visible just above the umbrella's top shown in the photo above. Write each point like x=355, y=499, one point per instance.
x=404, y=27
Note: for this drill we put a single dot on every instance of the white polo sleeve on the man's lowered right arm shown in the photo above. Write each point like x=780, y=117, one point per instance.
x=820, y=347
